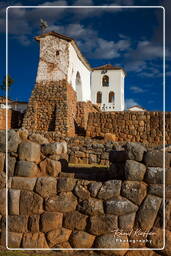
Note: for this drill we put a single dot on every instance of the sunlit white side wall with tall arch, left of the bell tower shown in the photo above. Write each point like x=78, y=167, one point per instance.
x=76, y=65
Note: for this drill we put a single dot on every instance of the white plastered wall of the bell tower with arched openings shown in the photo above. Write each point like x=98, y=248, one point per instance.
x=116, y=85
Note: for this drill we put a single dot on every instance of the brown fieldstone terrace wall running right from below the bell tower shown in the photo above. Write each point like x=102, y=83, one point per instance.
x=145, y=127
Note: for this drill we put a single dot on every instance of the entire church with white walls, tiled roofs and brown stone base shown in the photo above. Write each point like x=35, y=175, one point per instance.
x=65, y=82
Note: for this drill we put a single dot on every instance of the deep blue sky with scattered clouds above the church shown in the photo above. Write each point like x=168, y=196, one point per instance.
x=130, y=38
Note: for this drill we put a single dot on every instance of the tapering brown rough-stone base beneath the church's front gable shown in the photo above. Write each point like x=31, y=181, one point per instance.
x=48, y=109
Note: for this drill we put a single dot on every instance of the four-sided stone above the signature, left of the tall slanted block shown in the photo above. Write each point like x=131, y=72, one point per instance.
x=126, y=222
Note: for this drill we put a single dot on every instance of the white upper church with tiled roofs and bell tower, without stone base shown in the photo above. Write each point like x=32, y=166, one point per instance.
x=61, y=58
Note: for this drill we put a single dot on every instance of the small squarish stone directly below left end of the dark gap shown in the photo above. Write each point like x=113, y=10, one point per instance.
x=66, y=184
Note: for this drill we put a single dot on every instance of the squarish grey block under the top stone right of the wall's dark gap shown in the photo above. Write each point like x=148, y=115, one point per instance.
x=134, y=170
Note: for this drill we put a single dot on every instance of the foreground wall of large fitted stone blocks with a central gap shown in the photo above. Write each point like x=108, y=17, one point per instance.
x=54, y=209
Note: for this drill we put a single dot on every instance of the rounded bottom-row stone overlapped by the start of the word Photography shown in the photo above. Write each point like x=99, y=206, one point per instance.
x=111, y=241
